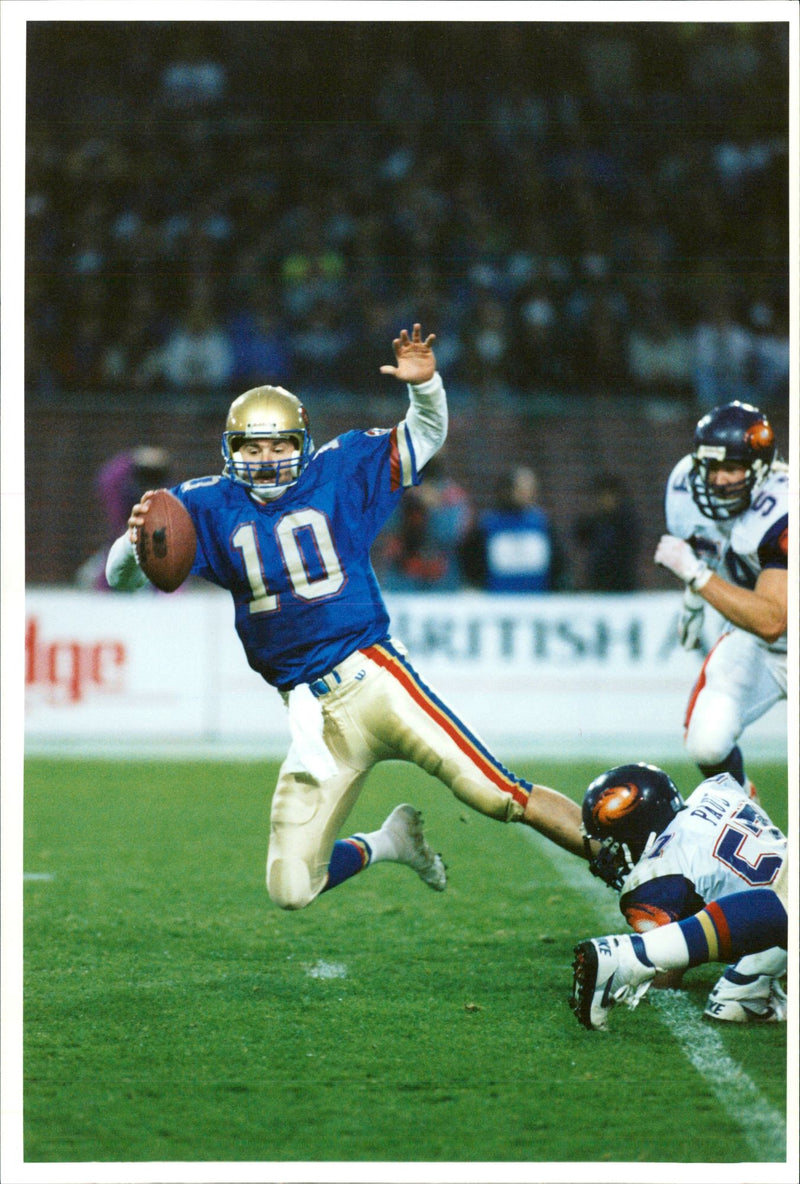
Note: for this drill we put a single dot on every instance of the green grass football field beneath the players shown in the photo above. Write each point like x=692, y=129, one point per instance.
x=173, y=1014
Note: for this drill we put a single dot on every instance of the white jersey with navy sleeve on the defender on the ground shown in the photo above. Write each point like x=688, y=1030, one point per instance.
x=721, y=844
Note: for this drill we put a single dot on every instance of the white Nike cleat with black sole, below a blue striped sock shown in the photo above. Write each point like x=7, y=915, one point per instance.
x=607, y=973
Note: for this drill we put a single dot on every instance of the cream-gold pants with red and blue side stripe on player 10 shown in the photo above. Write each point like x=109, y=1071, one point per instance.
x=379, y=710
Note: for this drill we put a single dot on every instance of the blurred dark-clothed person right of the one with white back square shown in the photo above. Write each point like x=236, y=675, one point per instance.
x=610, y=536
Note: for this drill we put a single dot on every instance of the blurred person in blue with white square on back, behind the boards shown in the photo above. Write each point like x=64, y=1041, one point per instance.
x=513, y=548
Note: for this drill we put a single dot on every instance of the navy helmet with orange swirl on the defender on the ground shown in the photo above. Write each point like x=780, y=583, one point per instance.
x=625, y=809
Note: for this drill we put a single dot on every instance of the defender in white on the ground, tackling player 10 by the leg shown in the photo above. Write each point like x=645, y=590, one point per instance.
x=669, y=859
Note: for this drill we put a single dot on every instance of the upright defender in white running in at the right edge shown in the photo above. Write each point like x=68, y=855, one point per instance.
x=727, y=516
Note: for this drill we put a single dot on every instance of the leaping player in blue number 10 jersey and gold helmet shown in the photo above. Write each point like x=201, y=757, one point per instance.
x=288, y=531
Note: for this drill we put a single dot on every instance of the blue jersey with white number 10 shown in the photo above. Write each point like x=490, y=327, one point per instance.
x=299, y=568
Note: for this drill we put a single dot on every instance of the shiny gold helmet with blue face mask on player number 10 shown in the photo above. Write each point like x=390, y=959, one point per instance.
x=267, y=413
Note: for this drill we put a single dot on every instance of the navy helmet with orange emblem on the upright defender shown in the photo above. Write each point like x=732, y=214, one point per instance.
x=738, y=434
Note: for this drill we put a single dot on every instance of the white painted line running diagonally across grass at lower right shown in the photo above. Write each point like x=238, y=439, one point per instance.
x=763, y=1127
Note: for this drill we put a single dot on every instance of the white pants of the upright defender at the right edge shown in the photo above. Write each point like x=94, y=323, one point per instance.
x=740, y=681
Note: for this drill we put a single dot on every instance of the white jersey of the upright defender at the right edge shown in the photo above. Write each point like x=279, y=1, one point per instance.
x=740, y=548
